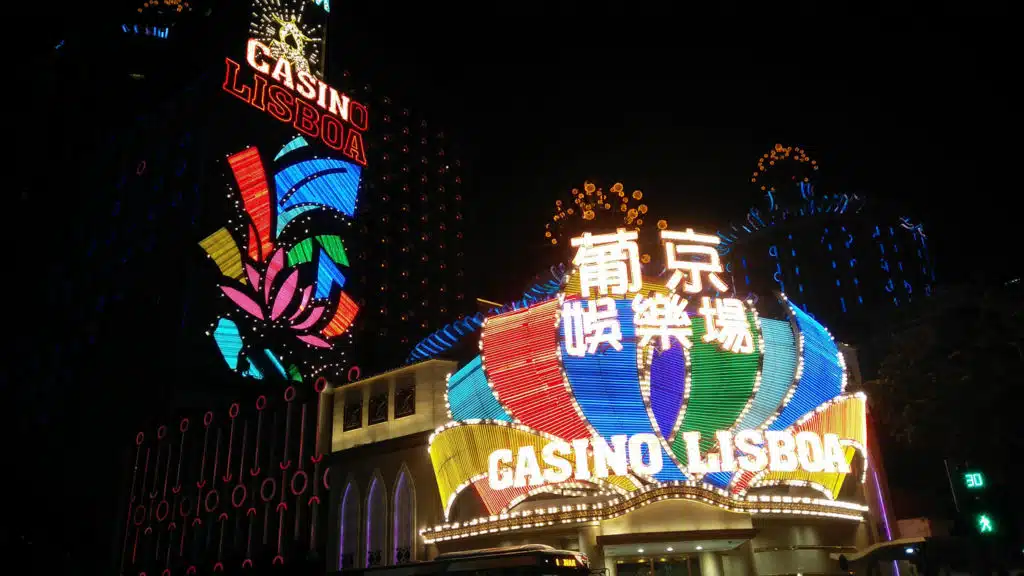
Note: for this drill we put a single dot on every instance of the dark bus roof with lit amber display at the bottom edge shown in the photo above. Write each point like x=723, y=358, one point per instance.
x=531, y=560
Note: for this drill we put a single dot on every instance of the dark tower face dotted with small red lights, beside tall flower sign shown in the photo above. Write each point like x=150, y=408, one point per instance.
x=412, y=225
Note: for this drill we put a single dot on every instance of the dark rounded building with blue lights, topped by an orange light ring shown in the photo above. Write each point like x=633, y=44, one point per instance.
x=845, y=258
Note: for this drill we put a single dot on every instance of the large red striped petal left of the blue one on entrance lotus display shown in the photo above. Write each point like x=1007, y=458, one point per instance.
x=521, y=359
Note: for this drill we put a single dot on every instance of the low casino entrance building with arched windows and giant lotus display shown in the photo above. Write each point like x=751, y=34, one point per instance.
x=440, y=457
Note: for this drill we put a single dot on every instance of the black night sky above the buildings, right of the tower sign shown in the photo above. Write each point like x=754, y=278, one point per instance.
x=908, y=106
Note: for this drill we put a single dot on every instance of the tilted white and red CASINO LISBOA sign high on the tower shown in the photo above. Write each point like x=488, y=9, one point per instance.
x=300, y=99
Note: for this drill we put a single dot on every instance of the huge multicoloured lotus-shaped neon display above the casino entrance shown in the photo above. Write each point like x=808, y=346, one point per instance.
x=535, y=413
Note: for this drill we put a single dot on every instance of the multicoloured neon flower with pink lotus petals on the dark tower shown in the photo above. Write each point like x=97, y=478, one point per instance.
x=284, y=281
